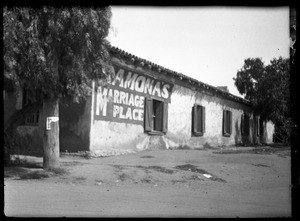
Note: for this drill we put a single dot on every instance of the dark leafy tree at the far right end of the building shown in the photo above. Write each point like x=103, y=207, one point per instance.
x=267, y=87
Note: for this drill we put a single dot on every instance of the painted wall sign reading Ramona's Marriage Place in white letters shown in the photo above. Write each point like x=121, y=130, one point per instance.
x=122, y=100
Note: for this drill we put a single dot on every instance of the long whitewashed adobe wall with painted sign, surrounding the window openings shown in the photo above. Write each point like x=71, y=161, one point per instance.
x=119, y=124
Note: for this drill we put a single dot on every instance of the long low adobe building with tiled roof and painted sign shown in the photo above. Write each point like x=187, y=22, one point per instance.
x=147, y=106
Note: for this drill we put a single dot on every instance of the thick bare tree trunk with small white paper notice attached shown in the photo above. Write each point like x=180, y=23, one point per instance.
x=51, y=134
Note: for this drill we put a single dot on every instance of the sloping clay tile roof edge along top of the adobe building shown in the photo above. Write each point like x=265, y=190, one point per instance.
x=210, y=88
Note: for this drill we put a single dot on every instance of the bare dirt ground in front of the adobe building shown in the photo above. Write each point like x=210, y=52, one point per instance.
x=236, y=182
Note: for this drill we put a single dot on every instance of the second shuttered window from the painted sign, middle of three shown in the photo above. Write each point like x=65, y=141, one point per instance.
x=198, y=120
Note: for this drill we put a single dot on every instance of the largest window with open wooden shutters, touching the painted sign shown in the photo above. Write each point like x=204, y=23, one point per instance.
x=156, y=116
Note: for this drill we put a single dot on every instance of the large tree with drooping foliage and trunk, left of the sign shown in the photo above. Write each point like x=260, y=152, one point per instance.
x=55, y=51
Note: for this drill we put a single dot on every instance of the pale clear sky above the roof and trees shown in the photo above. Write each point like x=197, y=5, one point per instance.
x=209, y=44
